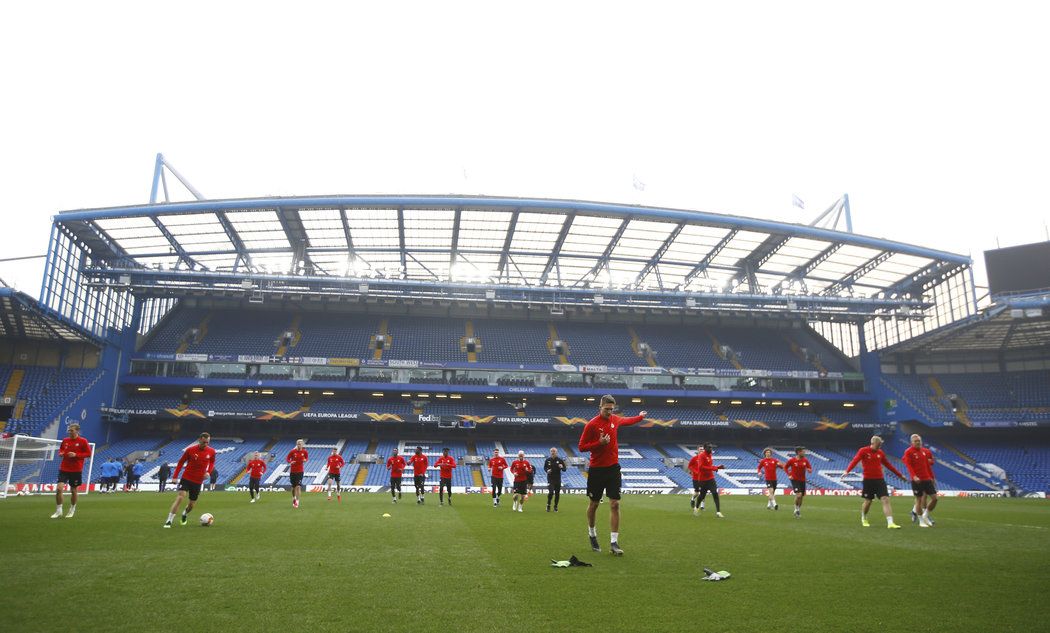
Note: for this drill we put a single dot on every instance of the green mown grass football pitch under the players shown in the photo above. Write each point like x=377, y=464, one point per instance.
x=335, y=566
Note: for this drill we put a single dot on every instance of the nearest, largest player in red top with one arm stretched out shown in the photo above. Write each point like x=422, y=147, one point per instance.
x=600, y=439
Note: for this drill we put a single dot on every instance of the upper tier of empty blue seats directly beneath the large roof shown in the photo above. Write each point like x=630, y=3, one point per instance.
x=518, y=343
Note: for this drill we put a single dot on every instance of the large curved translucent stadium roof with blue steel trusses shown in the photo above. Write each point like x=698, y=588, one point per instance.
x=503, y=243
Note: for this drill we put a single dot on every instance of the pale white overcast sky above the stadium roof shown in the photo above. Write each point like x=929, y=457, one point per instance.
x=932, y=116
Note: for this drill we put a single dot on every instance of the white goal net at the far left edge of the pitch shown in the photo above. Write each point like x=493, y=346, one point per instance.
x=31, y=466
